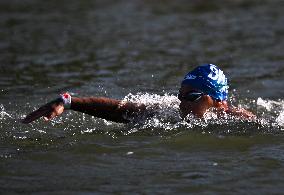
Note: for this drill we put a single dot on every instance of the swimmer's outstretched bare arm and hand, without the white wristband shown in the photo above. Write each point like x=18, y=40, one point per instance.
x=106, y=108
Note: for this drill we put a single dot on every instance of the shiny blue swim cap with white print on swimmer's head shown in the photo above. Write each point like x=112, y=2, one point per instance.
x=210, y=80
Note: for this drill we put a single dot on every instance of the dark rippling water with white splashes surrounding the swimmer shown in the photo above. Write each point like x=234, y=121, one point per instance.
x=144, y=48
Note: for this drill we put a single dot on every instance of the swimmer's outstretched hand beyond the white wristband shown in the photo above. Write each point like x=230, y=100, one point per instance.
x=48, y=111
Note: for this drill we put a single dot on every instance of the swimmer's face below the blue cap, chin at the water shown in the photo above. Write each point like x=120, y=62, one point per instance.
x=197, y=107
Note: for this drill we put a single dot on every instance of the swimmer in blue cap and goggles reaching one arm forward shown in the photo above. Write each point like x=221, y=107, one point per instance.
x=202, y=90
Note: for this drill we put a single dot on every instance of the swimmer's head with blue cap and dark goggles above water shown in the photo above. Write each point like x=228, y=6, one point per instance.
x=202, y=89
